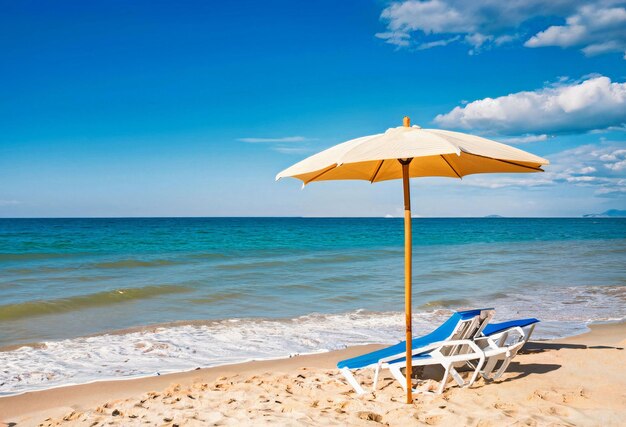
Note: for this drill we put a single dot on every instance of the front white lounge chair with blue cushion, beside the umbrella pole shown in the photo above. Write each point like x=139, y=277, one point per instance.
x=450, y=345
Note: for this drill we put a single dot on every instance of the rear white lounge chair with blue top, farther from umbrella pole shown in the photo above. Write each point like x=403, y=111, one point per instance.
x=501, y=341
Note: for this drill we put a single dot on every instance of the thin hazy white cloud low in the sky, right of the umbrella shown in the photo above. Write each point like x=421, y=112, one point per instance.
x=601, y=168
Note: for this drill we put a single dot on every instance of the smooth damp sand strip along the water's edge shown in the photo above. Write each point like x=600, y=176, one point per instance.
x=39, y=405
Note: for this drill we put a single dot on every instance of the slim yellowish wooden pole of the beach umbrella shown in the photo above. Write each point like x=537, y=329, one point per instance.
x=407, y=277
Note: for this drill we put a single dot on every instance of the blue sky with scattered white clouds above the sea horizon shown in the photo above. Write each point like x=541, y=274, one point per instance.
x=190, y=108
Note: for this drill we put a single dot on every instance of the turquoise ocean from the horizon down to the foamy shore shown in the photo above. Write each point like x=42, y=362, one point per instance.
x=89, y=299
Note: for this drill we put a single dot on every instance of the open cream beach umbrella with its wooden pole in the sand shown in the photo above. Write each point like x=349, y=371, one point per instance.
x=407, y=152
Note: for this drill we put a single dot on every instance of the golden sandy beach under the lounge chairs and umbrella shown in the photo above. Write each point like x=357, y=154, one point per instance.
x=575, y=381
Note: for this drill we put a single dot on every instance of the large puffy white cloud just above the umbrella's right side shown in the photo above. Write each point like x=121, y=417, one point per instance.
x=595, y=103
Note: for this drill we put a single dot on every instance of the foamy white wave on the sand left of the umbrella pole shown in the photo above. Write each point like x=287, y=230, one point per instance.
x=170, y=348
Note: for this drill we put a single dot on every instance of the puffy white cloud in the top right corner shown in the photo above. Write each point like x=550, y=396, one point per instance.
x=594, y=29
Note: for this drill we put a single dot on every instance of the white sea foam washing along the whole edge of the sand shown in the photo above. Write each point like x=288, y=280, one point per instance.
x=563, y=311
